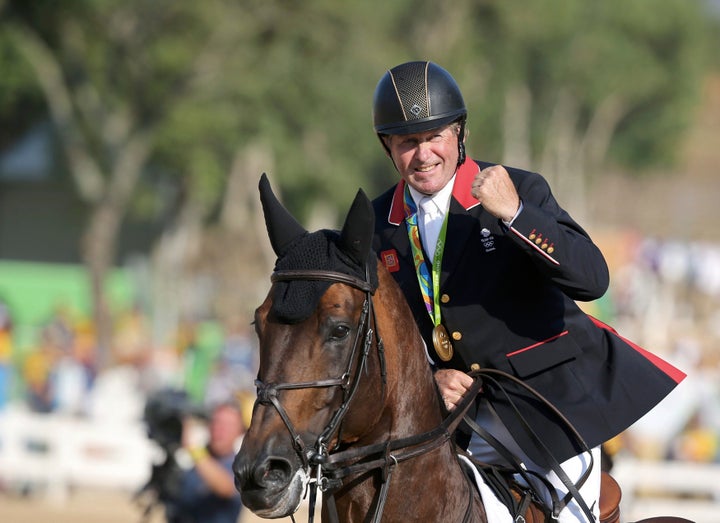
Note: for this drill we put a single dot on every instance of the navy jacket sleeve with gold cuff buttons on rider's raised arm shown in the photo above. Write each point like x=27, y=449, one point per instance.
x=558, y=246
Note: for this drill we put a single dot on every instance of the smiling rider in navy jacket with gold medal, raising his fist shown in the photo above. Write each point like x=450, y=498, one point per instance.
x=491, y=267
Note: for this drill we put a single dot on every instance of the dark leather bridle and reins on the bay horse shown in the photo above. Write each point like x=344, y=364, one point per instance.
x=330, y=469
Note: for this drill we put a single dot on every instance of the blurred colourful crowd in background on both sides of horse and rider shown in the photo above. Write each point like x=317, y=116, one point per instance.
x=665, y=296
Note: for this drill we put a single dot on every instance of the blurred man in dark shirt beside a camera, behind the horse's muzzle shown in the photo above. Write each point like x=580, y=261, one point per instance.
x=207, y=492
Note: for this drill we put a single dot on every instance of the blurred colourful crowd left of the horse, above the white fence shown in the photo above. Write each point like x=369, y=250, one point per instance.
x=58, y=374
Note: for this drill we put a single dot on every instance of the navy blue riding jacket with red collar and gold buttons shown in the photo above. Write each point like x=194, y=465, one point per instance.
x=507, y=298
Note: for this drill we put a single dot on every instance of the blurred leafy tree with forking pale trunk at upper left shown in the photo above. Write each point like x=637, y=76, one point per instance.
x=110, y=78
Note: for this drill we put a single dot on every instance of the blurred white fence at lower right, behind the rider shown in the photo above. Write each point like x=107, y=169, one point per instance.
x=668, y=488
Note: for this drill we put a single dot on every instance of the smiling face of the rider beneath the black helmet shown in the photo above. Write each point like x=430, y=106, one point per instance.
x=427, y=160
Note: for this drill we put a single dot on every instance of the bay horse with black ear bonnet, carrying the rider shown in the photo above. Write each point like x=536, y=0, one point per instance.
x=346, y=401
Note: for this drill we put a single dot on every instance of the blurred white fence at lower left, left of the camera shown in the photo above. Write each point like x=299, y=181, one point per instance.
x=58, y=452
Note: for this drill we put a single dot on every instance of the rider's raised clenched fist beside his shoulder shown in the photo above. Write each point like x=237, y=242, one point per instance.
x=496, y=192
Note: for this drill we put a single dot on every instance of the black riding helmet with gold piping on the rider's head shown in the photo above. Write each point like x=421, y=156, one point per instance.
x=415, y=97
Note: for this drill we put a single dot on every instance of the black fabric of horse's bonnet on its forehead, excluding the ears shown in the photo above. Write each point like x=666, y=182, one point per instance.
x=294, y=301
